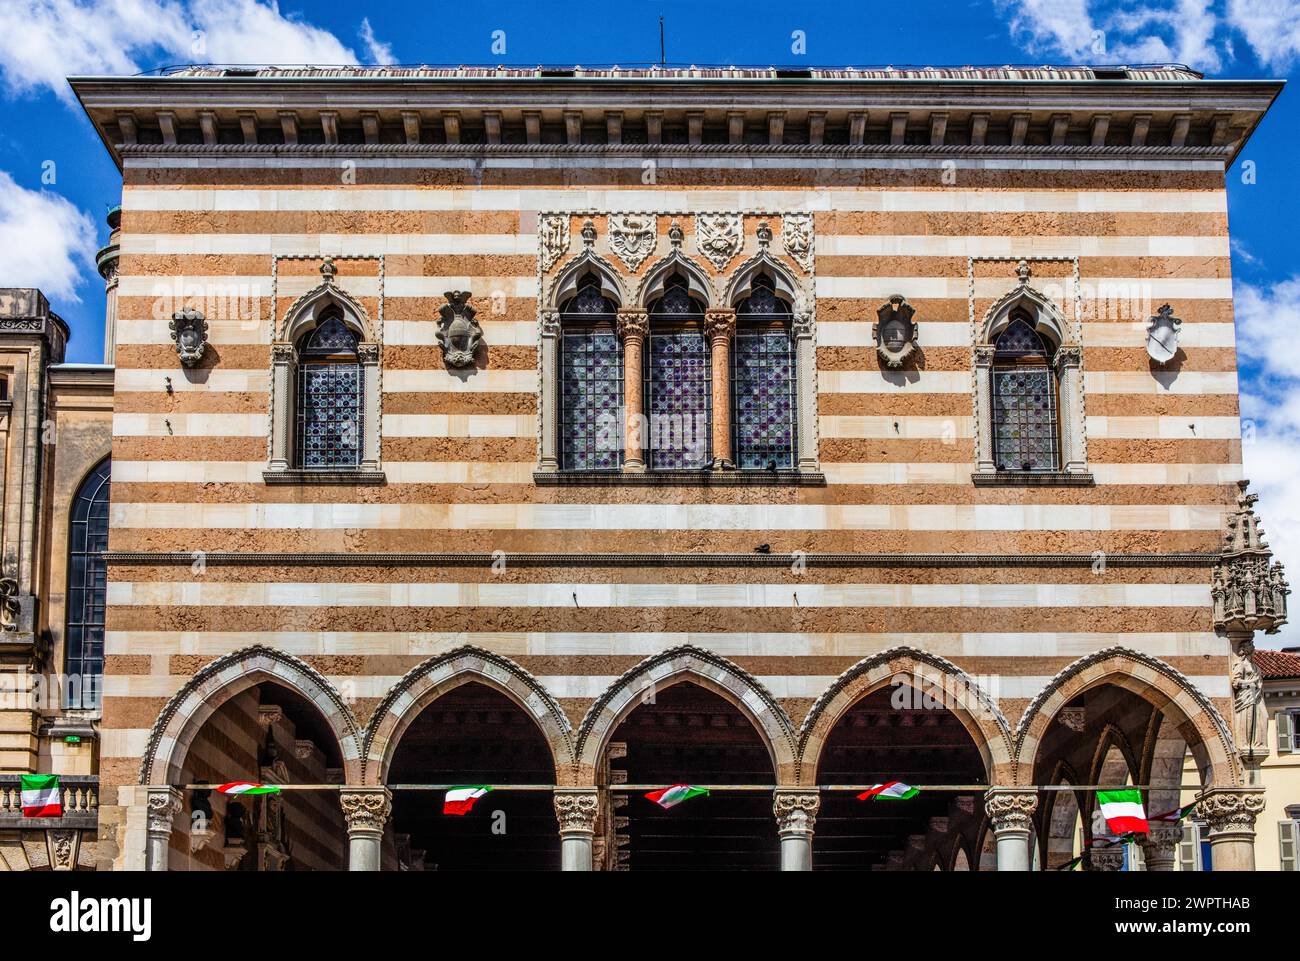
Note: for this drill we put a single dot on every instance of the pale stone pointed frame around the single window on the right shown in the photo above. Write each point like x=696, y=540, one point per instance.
x=1067, y=363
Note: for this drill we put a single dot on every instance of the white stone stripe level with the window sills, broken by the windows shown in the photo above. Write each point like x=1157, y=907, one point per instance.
x=522, y=473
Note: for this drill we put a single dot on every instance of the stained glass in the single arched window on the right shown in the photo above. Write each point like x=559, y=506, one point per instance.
x=1025, y=397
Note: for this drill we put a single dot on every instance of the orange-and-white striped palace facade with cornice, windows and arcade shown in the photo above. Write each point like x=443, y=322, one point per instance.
x=584, y=432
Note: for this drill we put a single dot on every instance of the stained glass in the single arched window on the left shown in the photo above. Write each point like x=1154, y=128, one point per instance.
x=330, y=399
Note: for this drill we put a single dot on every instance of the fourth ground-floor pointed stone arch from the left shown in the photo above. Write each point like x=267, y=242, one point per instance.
x=961, y=695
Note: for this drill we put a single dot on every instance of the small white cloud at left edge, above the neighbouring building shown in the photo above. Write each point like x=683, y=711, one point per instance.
x=49, y=243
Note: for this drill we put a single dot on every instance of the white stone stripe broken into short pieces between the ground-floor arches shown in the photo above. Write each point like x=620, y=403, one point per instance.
x=595, y=685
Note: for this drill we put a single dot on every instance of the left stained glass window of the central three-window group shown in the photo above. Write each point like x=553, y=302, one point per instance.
x=591, y=384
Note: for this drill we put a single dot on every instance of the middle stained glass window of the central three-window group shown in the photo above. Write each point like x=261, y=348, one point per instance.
x=678, y=383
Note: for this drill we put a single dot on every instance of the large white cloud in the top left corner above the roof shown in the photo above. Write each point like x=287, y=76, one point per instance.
x=45, y=41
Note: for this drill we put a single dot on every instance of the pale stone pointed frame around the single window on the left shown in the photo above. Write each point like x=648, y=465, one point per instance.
x=310, y=311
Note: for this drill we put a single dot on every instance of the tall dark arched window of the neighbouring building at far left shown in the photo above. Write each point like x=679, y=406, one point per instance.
x=88, y=582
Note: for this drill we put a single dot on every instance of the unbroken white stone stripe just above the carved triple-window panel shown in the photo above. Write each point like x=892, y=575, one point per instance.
x=869, y=200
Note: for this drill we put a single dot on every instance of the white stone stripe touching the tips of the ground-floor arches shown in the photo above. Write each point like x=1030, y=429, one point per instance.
x=647, y=643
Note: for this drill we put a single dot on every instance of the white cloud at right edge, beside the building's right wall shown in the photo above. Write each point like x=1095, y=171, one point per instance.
x=1267, y=321
